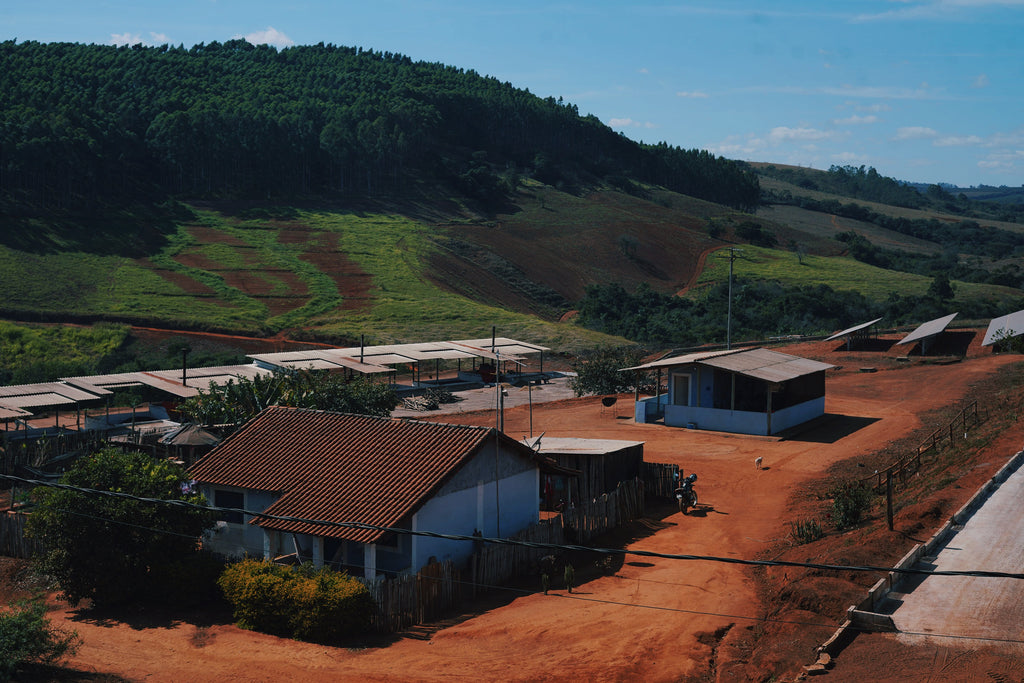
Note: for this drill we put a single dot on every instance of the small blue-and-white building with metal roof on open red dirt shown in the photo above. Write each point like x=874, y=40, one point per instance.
x=746, y=392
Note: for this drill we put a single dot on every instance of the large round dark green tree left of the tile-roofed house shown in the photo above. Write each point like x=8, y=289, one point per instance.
x=113, y=549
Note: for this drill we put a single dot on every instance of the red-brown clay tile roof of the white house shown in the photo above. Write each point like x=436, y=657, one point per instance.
x=337, y=467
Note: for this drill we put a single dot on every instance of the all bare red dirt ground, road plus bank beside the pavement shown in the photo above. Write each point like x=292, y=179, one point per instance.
x=653, y=620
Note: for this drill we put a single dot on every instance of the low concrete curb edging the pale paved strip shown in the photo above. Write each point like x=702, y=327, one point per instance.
x=864, y=617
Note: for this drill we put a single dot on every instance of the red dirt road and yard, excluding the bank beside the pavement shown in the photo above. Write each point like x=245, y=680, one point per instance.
x=655, y=620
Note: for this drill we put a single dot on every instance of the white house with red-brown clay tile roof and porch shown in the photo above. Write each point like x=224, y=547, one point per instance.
x=318, y=473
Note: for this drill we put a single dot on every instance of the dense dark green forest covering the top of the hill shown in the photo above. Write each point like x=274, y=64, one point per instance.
x=91, y=127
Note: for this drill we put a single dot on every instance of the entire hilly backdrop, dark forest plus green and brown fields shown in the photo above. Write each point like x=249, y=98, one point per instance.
x=340, y=194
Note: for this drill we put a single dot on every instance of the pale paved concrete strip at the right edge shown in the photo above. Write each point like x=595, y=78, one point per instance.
x=992, y=540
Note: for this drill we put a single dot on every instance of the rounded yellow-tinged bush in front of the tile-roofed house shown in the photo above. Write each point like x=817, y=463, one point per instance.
x=320, y=606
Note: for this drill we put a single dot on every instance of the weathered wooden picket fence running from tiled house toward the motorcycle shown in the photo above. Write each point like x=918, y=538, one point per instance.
x=411, y=600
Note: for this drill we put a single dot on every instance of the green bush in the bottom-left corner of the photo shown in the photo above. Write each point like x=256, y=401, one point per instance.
x=27, y=637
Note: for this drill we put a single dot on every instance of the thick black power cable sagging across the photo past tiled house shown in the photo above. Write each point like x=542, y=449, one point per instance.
x=527, y=544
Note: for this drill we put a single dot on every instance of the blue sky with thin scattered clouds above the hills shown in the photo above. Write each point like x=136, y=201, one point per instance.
x=922, y=91
